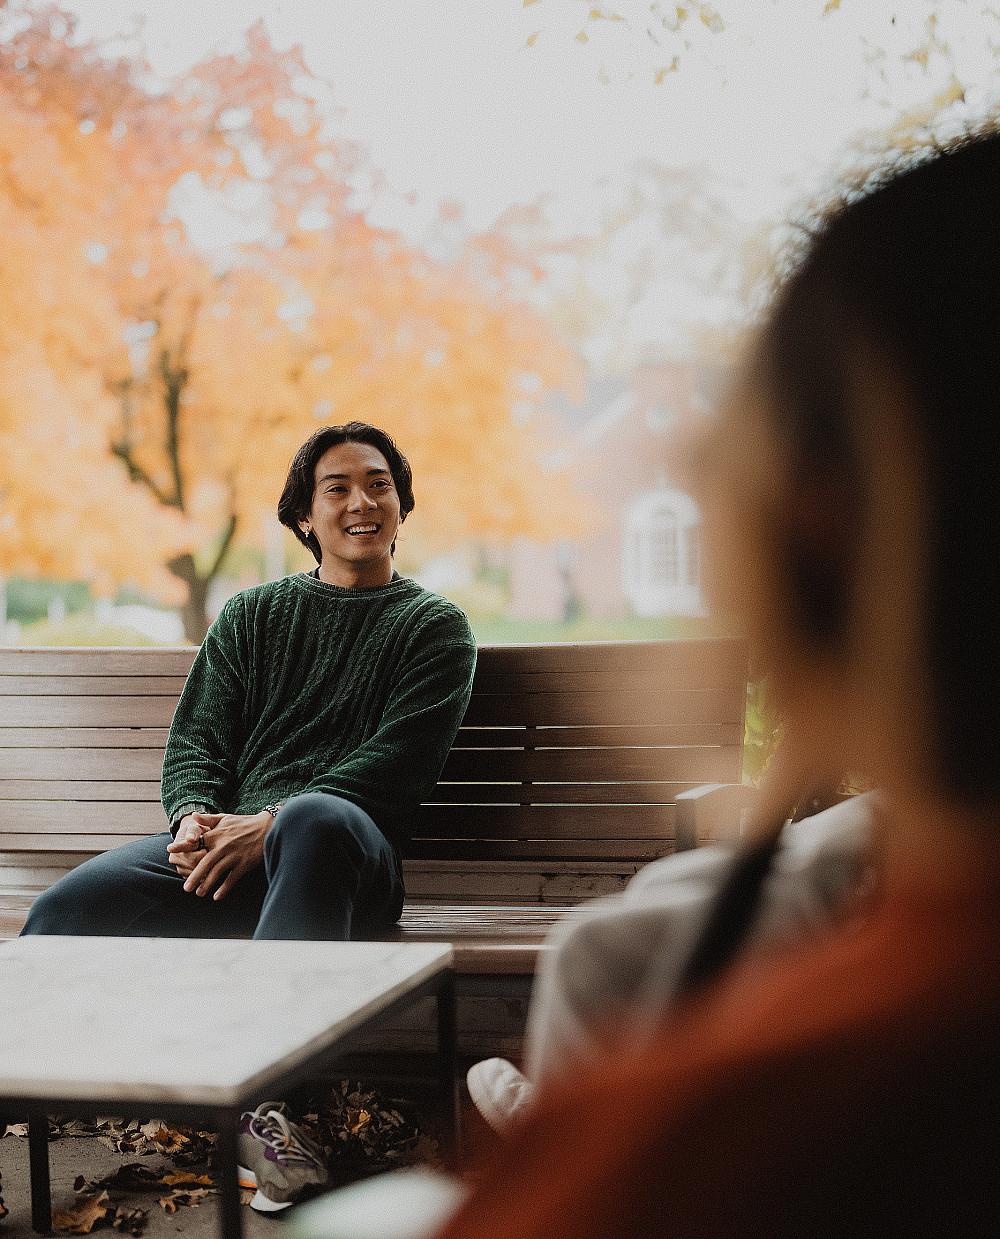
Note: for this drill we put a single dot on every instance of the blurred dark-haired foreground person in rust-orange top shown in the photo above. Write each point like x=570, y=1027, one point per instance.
x=852, y=504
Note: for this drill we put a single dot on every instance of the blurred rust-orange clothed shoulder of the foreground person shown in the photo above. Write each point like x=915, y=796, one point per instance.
x=848, y=1088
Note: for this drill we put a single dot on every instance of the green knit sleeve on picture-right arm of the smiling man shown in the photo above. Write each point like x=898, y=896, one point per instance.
x=398, y=766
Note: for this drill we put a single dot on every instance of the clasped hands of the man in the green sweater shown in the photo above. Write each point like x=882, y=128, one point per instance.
x=234, y=844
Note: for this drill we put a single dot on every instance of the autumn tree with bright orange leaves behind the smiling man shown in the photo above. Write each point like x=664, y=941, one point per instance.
x=153, y=391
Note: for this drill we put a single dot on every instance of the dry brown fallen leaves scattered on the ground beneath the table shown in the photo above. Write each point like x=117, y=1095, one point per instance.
x=360, y=1131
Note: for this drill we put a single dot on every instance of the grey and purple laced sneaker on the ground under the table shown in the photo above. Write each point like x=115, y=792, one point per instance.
x=277, y=1158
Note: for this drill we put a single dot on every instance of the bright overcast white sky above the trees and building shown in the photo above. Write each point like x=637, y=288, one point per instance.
x=452, y=103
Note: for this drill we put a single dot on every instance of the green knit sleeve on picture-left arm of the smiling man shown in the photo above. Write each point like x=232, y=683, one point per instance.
x=206, y=735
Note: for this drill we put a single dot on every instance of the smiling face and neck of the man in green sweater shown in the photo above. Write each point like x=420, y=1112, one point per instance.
x=355, y=515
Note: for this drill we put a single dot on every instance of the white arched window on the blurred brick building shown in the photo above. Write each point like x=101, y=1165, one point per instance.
x=661, y=559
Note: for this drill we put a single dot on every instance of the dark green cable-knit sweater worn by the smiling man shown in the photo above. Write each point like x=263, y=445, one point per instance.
x=307, y=687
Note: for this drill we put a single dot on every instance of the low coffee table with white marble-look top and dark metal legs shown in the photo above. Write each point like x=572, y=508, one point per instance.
x=196, y=1029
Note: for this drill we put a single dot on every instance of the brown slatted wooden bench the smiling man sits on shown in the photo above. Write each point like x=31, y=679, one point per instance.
x=569, y=774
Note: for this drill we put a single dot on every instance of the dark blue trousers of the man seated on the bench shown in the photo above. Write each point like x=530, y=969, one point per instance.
x=329, y=874
